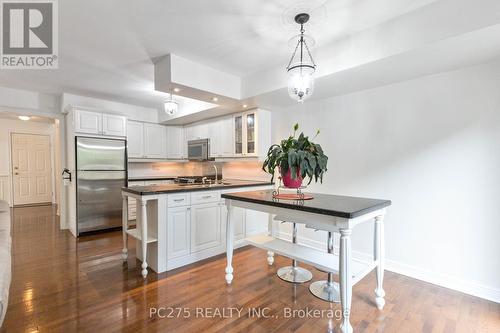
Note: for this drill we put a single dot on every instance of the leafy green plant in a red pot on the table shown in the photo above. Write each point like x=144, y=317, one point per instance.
x=295, y=159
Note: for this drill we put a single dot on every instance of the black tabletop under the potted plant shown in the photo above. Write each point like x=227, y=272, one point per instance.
x=325, y=204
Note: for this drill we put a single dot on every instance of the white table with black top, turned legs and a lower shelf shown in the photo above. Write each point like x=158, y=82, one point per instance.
x=331, y=213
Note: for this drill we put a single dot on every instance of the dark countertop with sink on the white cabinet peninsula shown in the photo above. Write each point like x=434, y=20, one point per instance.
x=173, y=188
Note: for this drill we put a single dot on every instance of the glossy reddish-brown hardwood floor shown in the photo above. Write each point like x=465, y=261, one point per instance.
x=61, y=284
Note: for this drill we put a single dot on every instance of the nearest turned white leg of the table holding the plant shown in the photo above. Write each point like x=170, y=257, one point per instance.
x=345, y=279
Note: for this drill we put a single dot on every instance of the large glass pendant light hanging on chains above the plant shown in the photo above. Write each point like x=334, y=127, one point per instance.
x=301, y=67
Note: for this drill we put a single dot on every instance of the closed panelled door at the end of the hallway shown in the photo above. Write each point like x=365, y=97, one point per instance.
x=31, y=169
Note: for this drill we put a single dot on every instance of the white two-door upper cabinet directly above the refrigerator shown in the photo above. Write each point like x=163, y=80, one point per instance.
x=97, y=123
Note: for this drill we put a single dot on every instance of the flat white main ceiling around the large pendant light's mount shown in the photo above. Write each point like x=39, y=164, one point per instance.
x=107, y=48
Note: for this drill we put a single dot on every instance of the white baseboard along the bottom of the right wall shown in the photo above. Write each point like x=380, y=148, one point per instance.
x=450, y=282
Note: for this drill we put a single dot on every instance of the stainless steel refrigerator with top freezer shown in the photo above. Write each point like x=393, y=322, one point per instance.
x=101, y=172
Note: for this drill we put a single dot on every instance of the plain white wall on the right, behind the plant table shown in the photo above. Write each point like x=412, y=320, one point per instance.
x=432, y=146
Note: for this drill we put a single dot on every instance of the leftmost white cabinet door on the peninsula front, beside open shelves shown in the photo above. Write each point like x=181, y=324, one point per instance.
x=178, y=232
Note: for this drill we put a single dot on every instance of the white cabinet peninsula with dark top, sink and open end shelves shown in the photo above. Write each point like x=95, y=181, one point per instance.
x=178, y=224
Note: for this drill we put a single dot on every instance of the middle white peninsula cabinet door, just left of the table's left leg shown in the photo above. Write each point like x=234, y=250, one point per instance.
x=205, y=227
